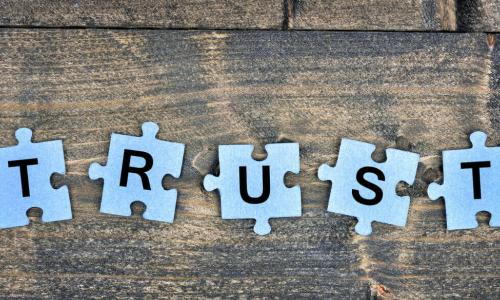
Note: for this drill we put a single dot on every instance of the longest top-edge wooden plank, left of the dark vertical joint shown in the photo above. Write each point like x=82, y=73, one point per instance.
x=211, y=14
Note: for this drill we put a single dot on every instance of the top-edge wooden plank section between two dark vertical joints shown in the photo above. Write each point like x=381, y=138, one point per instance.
x=422, y=15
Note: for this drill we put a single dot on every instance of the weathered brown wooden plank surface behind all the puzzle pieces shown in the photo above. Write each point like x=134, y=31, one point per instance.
x=413, y=74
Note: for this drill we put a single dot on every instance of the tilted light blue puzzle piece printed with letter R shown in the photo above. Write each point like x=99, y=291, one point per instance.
x=135, y=171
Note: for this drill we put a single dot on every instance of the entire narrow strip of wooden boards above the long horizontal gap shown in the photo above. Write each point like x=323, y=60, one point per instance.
x=385, y=15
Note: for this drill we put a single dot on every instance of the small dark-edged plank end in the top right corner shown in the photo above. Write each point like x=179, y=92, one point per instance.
x=478, y=15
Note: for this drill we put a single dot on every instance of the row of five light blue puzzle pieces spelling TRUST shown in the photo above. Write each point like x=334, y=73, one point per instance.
x=249, y=189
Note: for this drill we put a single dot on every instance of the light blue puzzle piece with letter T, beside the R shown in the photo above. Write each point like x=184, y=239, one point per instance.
x=38, y=161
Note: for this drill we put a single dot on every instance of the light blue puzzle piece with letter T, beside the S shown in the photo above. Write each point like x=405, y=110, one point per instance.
x=463, y=200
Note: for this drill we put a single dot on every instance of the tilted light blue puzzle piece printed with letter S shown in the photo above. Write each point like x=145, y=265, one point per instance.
x=355, y=160
